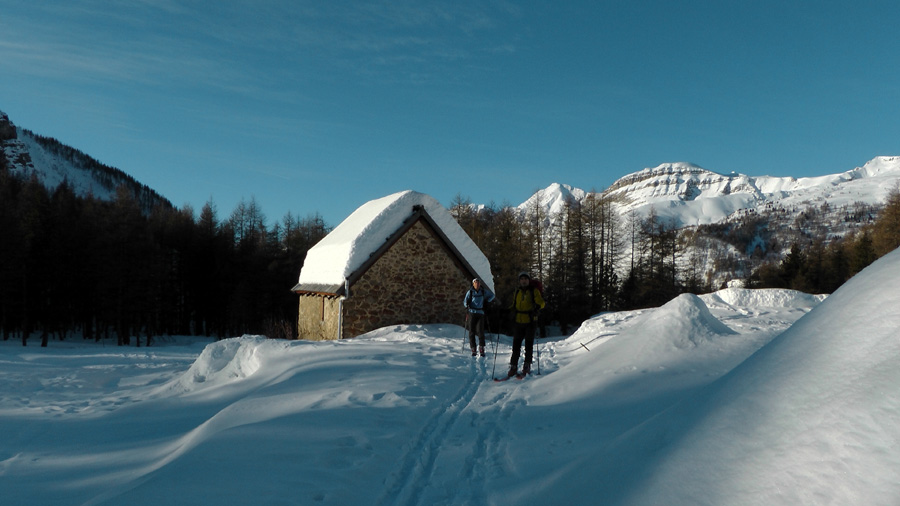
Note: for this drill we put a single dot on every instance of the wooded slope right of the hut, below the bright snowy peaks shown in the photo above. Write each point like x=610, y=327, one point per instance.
x=591, y=259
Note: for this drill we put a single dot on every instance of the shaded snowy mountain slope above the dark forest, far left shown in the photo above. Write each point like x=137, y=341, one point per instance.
x=27, y=154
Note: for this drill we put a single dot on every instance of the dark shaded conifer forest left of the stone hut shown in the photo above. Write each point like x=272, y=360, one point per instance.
x=111, y=270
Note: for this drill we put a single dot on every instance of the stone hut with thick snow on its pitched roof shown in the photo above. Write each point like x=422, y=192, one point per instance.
x=401, y=259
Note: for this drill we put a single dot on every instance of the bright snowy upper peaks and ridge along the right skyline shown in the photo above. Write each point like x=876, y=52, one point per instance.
x=690, y=195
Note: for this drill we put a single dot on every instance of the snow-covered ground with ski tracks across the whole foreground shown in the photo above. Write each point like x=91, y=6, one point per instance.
x=740, y=397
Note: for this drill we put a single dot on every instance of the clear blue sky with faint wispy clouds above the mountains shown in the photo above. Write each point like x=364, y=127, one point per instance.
x=320, y=106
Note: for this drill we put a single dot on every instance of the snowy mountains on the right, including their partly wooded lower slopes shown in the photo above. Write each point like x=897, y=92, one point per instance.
x=738, y=221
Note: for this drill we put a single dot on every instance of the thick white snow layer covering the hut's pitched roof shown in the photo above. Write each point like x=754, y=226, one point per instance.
x=342, y=252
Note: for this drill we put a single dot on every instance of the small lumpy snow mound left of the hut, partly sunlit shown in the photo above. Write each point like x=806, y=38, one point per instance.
x=221, y=363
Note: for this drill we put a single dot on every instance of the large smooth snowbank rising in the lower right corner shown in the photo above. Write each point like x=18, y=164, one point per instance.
x=811, y=416
